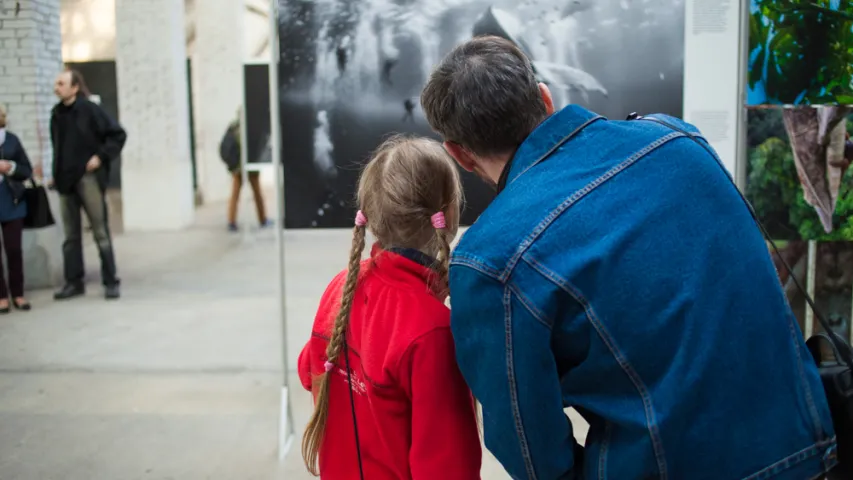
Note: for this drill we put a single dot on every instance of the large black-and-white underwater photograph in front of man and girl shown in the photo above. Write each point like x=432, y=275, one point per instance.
x=351, y=73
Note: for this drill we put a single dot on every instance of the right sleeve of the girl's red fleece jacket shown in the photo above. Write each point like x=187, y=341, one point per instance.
x=445, y=437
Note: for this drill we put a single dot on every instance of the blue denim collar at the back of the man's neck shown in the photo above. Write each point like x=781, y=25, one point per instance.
x=553, y=132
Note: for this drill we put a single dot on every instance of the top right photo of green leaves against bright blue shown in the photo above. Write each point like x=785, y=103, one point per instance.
x=800, y=52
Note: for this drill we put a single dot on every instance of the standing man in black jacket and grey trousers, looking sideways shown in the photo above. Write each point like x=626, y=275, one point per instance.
x=85, y=141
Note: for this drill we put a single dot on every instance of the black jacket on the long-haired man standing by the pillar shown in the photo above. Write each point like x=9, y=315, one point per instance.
x=78, y=132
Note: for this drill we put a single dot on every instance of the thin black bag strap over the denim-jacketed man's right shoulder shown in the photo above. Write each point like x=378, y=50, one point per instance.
x=840, y=346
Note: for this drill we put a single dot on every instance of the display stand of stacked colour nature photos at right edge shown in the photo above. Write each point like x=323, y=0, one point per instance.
x=799, y=91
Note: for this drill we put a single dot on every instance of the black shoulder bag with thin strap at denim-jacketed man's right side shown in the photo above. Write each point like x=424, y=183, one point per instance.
x=836, y=374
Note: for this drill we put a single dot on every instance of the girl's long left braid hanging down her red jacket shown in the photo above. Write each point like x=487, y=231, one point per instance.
x=313, y=436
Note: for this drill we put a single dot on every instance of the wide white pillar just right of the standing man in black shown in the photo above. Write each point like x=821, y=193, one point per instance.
x=153, y=100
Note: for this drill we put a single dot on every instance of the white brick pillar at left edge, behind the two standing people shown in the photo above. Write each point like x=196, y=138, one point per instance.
x=30, y=58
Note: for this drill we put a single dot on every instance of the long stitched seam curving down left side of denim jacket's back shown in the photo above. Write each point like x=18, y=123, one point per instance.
x=625, y=365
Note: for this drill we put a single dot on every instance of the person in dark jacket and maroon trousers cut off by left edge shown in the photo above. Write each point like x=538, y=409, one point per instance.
x=14, y=169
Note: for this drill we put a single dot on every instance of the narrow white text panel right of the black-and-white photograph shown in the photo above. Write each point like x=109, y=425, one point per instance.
x=713, y=71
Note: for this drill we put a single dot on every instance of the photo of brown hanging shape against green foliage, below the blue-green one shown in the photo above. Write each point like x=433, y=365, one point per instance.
x=798, y=175
